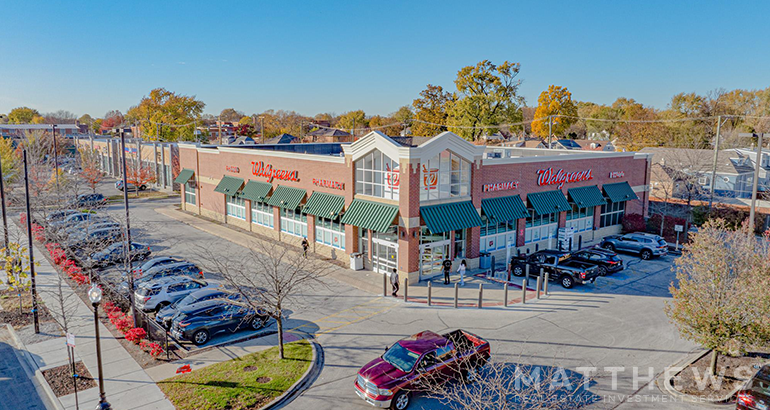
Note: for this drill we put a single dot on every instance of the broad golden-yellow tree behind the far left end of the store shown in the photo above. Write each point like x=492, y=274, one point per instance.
x=177, y=112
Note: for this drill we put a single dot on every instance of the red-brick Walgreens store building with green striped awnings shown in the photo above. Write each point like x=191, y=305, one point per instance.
x=408, y=203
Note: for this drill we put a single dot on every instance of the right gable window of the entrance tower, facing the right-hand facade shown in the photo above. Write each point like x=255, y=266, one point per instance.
x=445, y=176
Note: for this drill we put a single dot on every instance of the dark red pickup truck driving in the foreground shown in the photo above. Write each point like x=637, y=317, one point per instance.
x=390, y=380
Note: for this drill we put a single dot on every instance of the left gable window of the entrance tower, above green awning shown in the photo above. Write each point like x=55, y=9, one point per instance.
x=377, y=175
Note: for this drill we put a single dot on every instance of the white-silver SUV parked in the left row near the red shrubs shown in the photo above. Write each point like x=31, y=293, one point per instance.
x=156, y=294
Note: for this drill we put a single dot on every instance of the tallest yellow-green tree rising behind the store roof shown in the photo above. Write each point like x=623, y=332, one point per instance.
x=487, y=97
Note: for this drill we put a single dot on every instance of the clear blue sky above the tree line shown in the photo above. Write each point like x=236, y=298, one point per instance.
x=336, y=56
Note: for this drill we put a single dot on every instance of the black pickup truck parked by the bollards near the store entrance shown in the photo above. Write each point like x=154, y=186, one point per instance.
x=558, y=265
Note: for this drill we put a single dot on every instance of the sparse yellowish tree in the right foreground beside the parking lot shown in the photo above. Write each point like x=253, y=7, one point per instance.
x=721, y=297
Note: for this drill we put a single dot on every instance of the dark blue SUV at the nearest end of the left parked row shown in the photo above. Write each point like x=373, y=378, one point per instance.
x=200, y=321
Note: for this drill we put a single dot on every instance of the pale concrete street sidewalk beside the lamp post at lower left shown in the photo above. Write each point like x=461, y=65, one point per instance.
x=126, y=384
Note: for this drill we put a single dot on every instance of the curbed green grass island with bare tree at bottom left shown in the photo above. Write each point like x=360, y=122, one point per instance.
x=228, y=386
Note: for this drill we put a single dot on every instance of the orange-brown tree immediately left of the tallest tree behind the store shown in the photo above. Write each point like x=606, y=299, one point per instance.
x=430, y=111
